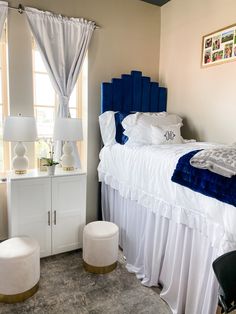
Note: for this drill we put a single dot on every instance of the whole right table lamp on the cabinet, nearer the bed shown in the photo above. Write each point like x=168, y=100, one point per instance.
x=68, y=130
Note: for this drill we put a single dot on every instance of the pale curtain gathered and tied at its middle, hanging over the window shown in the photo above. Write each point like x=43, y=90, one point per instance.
x=63, y=43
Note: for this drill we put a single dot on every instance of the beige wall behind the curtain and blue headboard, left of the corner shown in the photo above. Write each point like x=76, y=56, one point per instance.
x=128, y=39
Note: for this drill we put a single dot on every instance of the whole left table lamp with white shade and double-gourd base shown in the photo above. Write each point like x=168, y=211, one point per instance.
x=20, y=129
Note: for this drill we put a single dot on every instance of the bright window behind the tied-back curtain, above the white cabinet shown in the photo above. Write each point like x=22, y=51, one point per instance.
x=46, y=101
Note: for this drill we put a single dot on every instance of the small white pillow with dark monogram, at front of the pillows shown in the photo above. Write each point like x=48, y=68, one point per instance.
x=166, y=134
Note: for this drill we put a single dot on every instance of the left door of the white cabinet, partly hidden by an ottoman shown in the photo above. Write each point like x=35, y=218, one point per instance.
x=30, y=211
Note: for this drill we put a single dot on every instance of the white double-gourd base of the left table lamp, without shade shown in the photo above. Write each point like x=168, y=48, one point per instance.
x=20, y=162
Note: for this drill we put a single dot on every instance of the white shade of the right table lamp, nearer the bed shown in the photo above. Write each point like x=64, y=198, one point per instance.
x=68, y=129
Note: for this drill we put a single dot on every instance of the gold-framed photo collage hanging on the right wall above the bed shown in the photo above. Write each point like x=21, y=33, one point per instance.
x=219, y=47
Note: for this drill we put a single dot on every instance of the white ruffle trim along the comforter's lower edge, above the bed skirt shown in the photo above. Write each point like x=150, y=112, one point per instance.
x=218, y=236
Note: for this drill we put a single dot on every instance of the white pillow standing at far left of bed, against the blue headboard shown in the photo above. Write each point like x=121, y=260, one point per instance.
x=107, y=127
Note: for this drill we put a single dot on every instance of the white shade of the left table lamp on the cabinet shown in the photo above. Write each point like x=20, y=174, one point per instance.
x=20, y=129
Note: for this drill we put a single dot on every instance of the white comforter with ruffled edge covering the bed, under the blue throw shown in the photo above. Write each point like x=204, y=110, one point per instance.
x=143, y=173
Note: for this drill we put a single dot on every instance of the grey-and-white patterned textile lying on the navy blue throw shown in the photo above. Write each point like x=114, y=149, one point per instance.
x=220, y=160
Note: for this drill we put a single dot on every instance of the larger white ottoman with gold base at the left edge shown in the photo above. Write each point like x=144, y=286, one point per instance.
x=19, y=269
